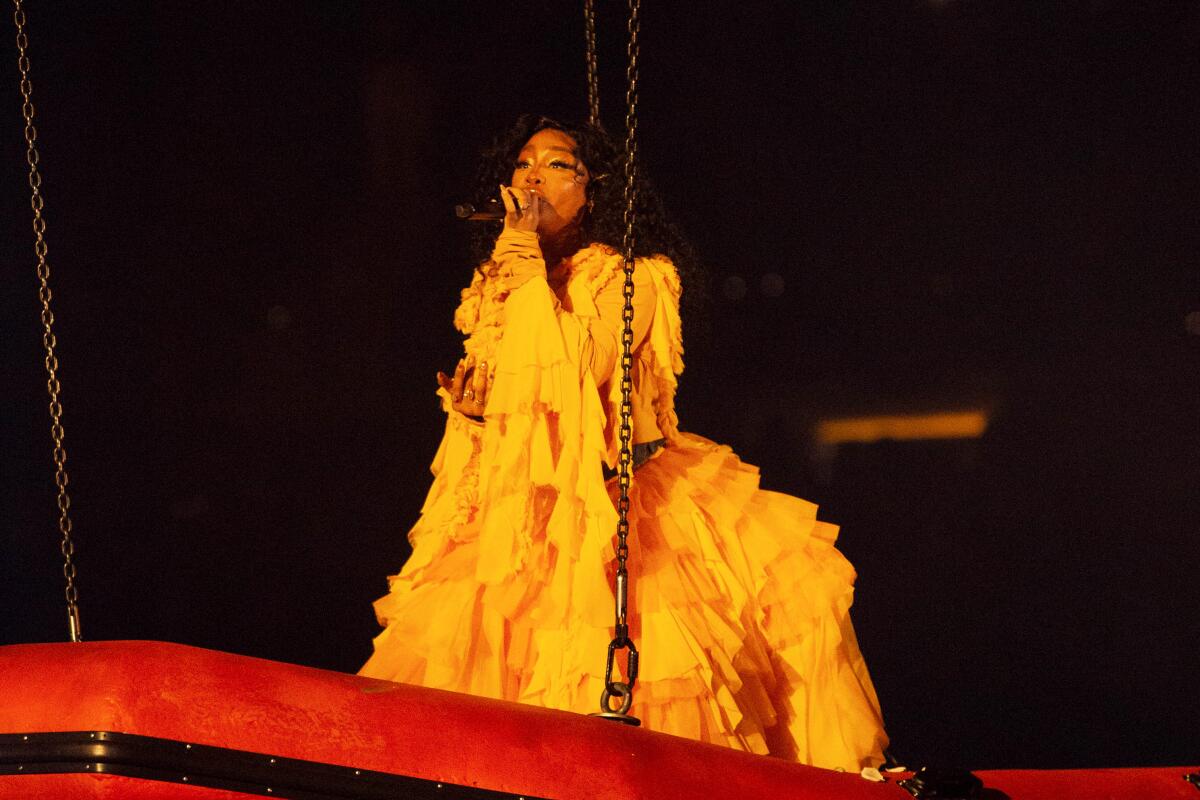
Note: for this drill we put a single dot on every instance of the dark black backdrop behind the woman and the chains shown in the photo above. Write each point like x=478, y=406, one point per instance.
x=953, y=204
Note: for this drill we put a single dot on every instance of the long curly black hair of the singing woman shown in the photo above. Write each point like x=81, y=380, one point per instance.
x=655, y=234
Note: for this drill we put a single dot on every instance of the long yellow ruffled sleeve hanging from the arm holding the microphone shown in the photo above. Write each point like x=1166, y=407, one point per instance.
x=542, y=496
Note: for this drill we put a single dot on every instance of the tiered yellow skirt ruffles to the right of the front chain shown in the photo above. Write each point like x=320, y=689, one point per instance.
x=743, y=609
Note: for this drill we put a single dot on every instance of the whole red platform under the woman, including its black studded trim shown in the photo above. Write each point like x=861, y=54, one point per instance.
x=344, y=736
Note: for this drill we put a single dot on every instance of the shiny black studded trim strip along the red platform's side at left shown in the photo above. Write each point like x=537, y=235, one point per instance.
x=104, y=753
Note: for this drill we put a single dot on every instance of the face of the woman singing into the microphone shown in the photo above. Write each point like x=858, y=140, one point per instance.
x=548, y=167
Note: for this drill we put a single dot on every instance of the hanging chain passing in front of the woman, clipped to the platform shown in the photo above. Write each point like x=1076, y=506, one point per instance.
x=625, y=691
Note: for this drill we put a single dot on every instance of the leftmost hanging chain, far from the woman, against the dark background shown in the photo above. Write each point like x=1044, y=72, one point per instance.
x=49, y=340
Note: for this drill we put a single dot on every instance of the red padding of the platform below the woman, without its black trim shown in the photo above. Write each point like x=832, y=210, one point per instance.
x=215, y=699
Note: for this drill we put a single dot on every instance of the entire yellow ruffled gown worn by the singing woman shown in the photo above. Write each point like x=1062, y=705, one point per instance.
x=741, y=601
